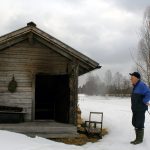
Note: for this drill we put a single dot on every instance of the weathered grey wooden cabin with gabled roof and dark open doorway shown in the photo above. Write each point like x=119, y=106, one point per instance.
x=39, y=76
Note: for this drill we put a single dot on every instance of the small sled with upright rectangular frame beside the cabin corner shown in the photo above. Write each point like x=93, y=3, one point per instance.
x=93, y=127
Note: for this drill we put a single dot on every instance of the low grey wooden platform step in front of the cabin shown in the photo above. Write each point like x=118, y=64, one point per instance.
x=42, y=129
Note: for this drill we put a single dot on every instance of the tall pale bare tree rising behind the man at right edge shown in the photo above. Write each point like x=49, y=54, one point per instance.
x=143, y=63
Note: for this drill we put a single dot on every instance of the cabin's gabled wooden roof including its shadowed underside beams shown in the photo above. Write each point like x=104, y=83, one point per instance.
x=30, y=31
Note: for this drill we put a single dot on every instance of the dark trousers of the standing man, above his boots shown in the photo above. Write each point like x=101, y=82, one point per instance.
x=138, y=119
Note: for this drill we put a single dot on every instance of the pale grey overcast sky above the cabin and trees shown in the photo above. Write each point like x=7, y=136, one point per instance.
x=104, y=30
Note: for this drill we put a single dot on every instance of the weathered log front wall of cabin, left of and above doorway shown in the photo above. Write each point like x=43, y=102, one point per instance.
x=24, y=61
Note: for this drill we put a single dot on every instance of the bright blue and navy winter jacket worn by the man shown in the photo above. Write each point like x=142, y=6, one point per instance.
x=140, y=96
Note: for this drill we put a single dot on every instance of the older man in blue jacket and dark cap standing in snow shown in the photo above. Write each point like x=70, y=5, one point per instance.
x=140, y=98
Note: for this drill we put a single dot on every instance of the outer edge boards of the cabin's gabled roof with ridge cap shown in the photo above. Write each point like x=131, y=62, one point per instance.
x=31, y=27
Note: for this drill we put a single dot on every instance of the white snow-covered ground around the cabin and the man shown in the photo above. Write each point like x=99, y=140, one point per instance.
x=117, y=119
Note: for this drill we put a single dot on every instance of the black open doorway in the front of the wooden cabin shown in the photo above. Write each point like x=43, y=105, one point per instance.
x=52, y=97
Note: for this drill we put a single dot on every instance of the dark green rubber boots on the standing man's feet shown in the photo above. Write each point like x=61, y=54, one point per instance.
x=139, y=136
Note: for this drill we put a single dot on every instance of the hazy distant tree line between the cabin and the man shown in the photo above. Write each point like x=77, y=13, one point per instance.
x=115, y=85
